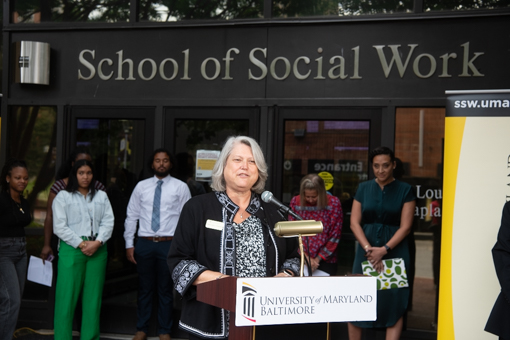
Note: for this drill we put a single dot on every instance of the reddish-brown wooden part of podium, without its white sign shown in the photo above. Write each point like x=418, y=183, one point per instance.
x=222, y=293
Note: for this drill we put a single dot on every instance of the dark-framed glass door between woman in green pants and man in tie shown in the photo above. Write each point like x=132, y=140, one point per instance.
x=120, y=141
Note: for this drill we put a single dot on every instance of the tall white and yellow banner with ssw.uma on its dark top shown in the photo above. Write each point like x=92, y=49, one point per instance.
x=476, y=186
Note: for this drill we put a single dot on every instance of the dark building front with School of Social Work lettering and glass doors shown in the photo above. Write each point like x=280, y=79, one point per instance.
x=317, y=89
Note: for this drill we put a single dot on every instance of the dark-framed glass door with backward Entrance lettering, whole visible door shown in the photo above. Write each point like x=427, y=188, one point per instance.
x=333, y=143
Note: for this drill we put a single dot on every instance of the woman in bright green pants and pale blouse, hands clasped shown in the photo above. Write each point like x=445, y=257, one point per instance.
x=83, y=220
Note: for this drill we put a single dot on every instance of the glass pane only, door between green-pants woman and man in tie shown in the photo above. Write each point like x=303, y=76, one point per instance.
x=116, y=146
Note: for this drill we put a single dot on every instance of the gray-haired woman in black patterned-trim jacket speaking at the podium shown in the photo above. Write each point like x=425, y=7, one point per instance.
x=234, y=217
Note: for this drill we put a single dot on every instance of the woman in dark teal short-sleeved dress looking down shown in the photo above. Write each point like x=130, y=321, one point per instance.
x=381, y=218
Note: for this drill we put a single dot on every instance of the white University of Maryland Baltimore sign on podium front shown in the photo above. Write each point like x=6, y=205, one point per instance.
x=276, y=301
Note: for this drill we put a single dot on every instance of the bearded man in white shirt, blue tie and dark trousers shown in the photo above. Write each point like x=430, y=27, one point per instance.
x=155, y=204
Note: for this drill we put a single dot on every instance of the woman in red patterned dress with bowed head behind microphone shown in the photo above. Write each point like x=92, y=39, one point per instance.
x=314, y=203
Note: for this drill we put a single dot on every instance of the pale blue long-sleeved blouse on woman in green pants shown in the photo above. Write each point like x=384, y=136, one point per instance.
x=72, y=214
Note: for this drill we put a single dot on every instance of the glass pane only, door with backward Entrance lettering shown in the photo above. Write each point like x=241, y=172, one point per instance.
x=336, y=150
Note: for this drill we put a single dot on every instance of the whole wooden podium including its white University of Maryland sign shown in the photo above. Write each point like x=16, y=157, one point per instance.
x=287, y=301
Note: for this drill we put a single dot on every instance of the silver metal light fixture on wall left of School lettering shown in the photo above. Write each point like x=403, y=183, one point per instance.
x=32, y=62
